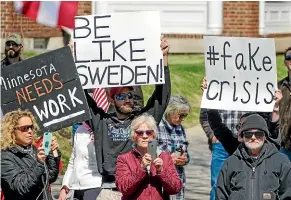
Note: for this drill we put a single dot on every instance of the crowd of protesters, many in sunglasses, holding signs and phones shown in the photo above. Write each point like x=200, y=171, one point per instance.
x=110, y=155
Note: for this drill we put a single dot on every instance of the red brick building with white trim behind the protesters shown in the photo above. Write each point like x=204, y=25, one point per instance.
x=183, y=22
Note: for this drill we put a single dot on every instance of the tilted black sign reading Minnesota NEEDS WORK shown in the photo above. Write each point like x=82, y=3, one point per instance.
x=48, y=85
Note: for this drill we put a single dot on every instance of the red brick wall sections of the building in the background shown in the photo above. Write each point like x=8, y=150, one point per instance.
x=241, y=18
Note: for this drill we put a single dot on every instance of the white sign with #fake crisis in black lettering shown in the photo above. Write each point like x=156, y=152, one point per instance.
x=241, y=73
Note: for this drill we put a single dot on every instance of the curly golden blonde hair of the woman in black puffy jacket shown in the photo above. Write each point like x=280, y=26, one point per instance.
x=8, y=124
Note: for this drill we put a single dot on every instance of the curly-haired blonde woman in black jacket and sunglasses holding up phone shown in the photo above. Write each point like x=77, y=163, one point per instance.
x=26, y=172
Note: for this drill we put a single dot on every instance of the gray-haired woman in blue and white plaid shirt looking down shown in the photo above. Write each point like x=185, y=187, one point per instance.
x=172, y=137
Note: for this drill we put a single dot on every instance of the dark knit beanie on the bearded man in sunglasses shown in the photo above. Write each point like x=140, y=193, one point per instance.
x=255, y=121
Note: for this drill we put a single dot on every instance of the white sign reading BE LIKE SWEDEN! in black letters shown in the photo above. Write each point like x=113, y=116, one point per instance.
x=118, y=49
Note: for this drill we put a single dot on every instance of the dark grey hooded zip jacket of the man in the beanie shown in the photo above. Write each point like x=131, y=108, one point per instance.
x=245, y=178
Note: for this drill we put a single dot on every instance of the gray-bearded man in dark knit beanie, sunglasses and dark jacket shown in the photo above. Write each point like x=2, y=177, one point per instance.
x=256, y=170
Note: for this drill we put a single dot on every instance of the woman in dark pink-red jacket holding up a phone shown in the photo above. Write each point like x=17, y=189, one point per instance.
x=140, y=177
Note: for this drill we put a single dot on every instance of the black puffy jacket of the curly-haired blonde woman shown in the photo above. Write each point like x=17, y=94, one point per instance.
x=23, y=177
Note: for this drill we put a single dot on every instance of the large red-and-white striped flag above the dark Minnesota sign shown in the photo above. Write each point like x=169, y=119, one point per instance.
x=49, y=13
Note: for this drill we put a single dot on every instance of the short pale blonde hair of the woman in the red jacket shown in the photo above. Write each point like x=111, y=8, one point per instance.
x=144, y=119
